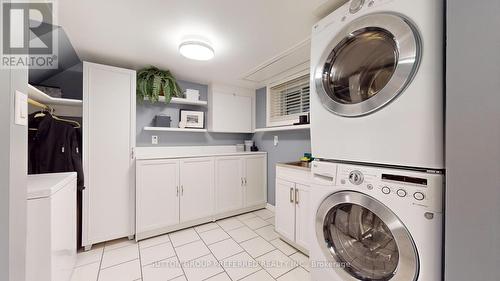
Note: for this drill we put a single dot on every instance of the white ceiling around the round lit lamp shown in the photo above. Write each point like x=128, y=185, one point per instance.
x=134, y=33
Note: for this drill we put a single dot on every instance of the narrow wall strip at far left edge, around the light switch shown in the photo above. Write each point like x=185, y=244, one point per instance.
x=13, y=171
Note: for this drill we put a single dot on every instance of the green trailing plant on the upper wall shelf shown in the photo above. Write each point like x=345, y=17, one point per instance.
x=153, y=83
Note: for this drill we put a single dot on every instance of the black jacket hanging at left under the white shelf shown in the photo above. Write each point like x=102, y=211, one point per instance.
x=54, y=147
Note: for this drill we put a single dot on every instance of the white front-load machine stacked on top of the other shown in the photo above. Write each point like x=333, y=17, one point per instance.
x=377, y=83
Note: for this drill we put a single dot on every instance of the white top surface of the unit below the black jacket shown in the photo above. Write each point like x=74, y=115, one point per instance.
x=45, y=185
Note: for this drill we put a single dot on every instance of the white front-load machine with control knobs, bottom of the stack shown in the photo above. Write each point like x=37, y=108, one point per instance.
x=376, y=224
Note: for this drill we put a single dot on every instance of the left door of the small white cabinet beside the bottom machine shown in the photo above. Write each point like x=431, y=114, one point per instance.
x=285, y=209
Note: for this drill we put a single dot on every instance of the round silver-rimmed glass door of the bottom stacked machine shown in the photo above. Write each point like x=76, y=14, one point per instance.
x=363, y=240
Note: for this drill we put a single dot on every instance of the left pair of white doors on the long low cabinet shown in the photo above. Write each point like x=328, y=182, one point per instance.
x=171, y=192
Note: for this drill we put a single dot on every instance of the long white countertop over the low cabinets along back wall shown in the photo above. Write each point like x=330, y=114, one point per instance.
x=149, y=153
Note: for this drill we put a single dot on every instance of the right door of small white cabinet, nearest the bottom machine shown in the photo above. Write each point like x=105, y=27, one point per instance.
x=302, y=220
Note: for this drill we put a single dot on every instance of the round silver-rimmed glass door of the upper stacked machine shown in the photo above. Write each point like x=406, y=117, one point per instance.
x=367, y=65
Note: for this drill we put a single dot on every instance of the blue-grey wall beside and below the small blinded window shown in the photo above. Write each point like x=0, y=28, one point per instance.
x=291, y=146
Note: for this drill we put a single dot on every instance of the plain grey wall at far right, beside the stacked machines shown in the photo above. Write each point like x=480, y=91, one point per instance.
x=472, y=242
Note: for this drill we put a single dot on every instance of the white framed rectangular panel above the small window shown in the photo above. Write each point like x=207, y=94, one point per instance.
x=294, y=58
